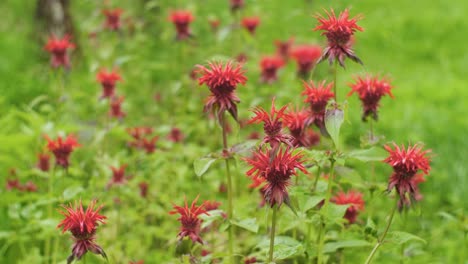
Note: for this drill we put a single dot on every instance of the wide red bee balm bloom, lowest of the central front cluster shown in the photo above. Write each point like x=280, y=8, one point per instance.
x=276, y=168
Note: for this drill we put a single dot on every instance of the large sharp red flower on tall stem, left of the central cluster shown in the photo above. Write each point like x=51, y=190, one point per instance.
x=222, y=81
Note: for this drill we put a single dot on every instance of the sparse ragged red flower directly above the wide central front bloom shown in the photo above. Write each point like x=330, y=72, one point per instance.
x=272, y=125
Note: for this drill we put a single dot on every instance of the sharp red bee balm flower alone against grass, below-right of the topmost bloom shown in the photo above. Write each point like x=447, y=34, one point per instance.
x=370, y=90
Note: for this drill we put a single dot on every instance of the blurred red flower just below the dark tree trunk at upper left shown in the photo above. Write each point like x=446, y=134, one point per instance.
x=58, y=48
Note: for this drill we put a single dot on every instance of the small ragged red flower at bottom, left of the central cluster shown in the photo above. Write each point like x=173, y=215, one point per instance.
x=189, y=220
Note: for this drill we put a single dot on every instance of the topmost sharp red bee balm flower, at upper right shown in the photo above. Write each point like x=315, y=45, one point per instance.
x=338, y=31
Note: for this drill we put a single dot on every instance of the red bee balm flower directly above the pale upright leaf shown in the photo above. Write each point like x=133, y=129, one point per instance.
x=317, y=95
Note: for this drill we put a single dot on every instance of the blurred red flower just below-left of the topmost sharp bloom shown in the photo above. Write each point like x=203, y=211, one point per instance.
x=305, y=56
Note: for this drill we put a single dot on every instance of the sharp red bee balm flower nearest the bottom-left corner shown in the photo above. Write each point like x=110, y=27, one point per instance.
x=82, y=225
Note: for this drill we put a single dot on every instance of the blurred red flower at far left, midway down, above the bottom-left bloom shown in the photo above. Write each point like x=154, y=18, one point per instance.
x=62, y=149
